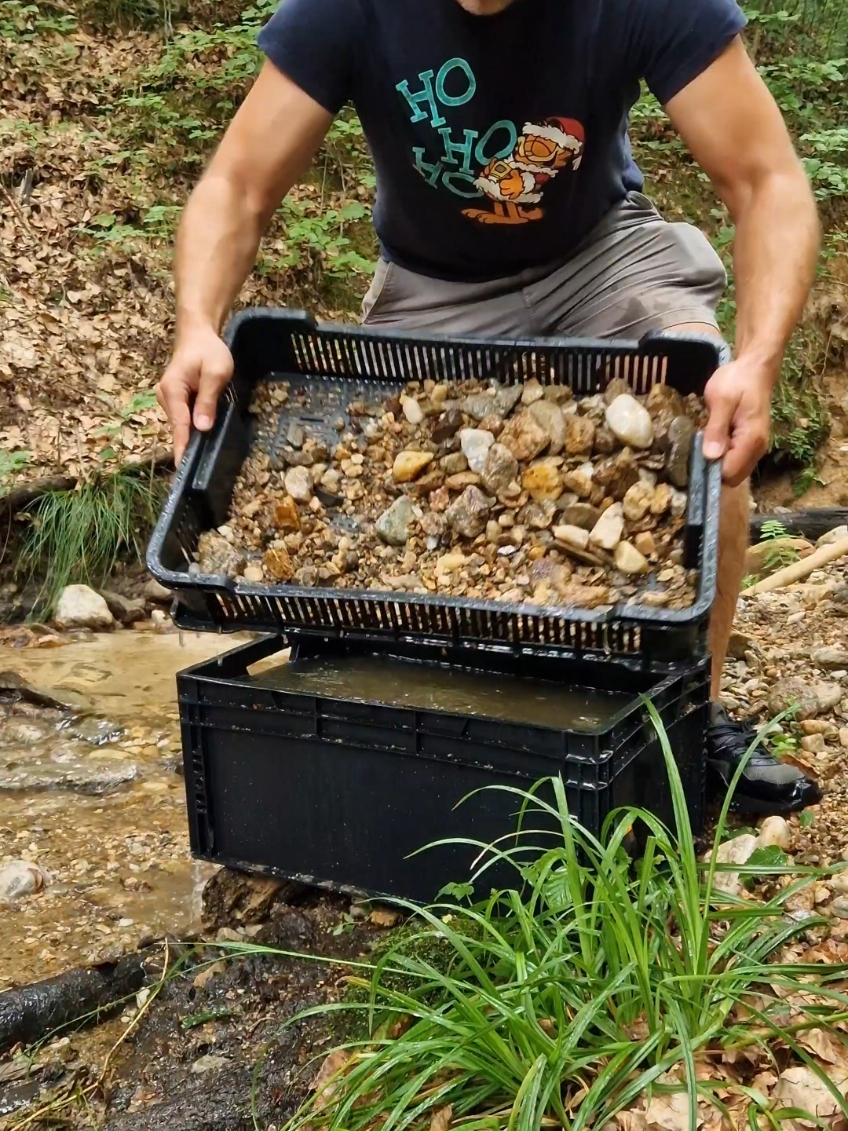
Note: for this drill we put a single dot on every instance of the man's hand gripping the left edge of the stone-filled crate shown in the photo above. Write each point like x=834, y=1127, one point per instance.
x=201, y=368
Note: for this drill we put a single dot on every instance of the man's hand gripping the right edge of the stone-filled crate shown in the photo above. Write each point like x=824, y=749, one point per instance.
x=739, y=398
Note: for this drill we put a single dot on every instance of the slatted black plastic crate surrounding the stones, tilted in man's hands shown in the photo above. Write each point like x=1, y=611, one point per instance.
x=336, y=366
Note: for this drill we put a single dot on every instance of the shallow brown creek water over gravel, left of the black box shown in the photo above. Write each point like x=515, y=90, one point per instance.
x=93, y=797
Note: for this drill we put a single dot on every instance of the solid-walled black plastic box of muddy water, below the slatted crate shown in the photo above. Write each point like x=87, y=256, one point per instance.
x=340, y=791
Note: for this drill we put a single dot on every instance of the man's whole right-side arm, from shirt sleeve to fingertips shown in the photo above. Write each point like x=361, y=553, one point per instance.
x=735, y=132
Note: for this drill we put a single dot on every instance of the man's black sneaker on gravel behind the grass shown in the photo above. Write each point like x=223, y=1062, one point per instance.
x=767, y=784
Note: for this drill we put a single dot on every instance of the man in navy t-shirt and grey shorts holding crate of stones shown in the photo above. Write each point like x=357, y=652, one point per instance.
x=509, y=205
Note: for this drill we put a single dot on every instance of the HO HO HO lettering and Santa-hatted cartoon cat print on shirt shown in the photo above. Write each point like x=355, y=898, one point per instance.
x=513, y=170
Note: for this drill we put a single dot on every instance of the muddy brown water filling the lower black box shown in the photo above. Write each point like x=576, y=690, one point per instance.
x=430, y=687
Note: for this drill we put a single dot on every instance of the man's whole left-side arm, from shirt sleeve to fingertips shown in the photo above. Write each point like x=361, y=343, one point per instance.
x=269, y=146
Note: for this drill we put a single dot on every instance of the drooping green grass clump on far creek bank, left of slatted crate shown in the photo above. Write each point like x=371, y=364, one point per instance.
x=79, y=537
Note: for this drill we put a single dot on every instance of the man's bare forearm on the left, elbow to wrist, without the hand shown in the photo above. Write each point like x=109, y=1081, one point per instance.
x=215, y=253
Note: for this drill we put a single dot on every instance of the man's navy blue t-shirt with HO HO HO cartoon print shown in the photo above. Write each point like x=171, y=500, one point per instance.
x=499, y=142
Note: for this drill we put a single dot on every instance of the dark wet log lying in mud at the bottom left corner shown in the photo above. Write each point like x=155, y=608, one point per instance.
x=31, y=1013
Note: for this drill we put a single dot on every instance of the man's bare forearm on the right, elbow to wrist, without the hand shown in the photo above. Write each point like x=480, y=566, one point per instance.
x=775, y=256
